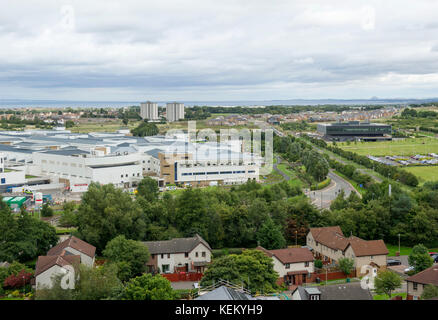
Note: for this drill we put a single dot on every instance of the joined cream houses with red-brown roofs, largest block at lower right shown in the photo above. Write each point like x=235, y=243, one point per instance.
x=329, y=245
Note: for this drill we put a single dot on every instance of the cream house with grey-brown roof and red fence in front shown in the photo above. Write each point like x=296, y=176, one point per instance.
x=179, y=255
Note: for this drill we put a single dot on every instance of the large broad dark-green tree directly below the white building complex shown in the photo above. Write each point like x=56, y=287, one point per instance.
x=106, y=212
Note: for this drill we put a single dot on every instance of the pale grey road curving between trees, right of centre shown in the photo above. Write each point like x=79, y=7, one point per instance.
x=323, y=198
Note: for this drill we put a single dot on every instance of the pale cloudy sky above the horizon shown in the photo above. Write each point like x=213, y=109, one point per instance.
x=218, y=50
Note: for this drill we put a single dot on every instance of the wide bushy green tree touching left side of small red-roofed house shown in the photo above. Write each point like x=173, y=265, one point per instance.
x=252, y=268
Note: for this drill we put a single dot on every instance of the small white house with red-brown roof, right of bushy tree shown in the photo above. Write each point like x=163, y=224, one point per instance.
x=294, y=265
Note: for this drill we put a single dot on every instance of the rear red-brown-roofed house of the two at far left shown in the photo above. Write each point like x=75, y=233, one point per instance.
x=75, y=246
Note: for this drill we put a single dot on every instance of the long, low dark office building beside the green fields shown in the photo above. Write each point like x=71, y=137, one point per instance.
x=355, y=130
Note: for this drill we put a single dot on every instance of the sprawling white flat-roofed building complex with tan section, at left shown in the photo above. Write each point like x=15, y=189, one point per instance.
x=79, y=159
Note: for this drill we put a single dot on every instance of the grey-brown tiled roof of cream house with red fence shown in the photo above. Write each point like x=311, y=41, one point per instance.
x=177, y=245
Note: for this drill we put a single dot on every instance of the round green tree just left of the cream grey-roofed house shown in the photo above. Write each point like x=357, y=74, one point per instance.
x=133, y=253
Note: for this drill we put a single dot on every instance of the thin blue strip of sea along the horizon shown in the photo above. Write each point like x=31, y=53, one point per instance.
x=11, y=103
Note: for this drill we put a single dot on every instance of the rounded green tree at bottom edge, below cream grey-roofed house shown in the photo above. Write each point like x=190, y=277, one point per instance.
x=148, y=287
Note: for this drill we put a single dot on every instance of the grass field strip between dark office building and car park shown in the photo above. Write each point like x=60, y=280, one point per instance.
x=406, y=147
